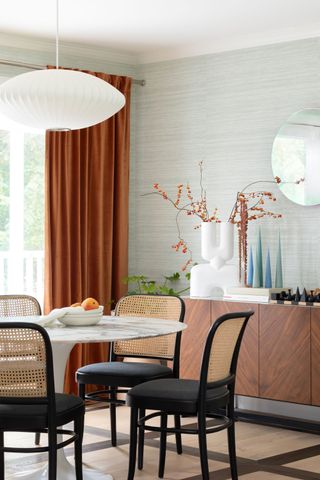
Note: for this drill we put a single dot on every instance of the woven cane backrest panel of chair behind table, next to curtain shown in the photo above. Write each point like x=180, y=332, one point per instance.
x=166, y=307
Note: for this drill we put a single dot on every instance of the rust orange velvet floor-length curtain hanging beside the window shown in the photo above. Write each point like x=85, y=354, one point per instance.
x=86, y=218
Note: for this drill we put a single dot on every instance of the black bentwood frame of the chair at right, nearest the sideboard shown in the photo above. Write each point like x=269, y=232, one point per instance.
x=227, y=420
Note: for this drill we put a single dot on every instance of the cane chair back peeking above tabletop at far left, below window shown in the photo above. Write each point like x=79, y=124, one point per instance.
x=18, y=305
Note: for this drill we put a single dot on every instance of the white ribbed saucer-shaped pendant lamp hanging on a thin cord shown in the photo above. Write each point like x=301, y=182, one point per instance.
x=57, y=99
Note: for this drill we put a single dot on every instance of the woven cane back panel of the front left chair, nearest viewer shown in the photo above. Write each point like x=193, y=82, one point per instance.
x=23, y=360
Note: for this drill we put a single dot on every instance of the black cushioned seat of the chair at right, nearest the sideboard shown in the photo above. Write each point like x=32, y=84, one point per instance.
x=174, y=396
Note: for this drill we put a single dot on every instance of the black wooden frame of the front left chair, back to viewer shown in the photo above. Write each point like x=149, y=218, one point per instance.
x=52, y=431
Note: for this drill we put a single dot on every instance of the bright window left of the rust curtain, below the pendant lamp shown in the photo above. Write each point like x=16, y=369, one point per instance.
x=21, y=210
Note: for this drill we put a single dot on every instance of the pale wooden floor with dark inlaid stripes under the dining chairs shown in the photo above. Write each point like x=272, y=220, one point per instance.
x=263, y=452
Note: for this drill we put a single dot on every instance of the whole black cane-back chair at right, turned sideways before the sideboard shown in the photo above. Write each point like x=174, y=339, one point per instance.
x=212, y=396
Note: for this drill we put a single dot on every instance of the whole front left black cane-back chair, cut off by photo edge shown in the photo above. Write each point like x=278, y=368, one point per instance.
x=28, y=402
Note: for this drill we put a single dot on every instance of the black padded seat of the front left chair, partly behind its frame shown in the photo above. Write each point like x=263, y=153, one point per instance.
x=25, y=417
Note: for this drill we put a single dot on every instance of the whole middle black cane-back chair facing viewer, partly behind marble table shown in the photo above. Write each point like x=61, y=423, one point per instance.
x=118, y=376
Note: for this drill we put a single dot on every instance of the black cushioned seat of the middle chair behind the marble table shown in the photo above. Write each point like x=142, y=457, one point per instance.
x=121, y=374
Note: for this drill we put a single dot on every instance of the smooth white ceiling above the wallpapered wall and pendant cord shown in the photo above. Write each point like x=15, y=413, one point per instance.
x=154, y=30
